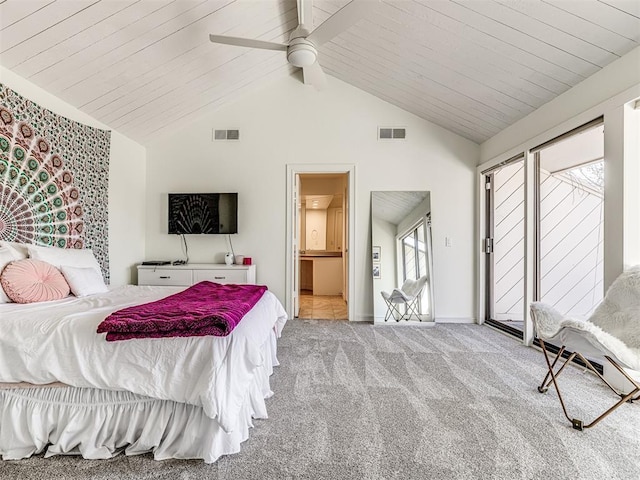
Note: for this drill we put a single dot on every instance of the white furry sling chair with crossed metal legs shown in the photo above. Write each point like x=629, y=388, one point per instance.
x=611, y=334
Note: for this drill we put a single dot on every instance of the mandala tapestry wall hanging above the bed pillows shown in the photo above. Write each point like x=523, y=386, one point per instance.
x=54, y=175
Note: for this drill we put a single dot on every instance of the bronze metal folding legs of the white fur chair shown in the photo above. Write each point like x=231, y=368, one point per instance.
x=576, y=423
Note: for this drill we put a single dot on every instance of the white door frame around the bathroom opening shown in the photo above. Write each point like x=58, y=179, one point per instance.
x=293, y=170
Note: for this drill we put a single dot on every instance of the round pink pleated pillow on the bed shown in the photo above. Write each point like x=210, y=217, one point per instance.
x=28, y=281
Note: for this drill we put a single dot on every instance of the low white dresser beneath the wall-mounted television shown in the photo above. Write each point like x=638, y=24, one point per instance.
x=191, y=273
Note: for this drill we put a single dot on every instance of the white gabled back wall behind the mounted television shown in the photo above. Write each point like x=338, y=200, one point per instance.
x=290, y=123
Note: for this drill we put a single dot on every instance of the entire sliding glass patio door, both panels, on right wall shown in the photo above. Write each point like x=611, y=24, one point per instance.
x=563, y=226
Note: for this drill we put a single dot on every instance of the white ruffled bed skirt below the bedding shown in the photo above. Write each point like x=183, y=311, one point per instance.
x=100, y=424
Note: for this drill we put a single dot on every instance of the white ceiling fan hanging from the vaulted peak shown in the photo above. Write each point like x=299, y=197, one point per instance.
x=301, y=49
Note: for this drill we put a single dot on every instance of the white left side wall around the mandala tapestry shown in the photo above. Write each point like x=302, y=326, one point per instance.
x=126, y=181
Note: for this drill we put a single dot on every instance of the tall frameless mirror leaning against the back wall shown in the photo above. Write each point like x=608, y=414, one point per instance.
x=401, y=258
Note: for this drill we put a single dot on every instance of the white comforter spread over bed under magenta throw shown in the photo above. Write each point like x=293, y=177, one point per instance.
x=57, y=341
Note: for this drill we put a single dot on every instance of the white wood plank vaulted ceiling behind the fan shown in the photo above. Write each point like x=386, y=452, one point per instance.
x=471, y=66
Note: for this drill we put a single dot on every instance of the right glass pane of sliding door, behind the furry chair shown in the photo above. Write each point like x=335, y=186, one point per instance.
x=570, y=211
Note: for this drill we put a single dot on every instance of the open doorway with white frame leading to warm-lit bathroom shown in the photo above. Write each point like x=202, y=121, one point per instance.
x=319, y=233
